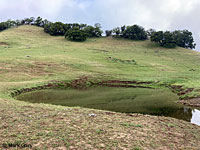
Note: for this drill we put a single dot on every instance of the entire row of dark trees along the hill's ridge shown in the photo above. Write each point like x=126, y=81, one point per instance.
x=80, y=32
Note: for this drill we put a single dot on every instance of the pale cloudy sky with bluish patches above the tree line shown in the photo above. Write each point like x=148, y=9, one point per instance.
x=157, y=14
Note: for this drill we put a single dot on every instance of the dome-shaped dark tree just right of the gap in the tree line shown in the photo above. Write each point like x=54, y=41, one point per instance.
x=135, y=32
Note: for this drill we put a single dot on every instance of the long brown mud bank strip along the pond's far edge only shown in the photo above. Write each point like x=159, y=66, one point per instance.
x=83, y=83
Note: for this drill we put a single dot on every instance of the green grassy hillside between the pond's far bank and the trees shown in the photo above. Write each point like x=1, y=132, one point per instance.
x=56, y=58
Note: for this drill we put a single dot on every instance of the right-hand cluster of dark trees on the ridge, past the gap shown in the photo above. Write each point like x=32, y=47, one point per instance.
x=167, y=39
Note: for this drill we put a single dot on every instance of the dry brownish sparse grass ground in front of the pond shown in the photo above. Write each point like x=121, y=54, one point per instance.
x=53, y=127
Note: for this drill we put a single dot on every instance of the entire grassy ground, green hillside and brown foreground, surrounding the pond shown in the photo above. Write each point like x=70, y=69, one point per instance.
x=33, y=57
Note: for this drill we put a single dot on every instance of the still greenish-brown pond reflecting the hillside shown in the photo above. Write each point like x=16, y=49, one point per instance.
x=160, y=102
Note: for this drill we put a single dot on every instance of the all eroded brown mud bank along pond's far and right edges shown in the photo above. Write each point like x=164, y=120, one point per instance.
x=85, y=82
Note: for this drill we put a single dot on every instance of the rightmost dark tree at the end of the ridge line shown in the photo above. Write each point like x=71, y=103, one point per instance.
x=184, y=39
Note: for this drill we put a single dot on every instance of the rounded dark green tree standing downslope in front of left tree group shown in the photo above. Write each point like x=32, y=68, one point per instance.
x=76, y=34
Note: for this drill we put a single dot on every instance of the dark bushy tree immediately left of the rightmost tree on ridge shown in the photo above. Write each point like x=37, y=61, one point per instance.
x=165, y=39
